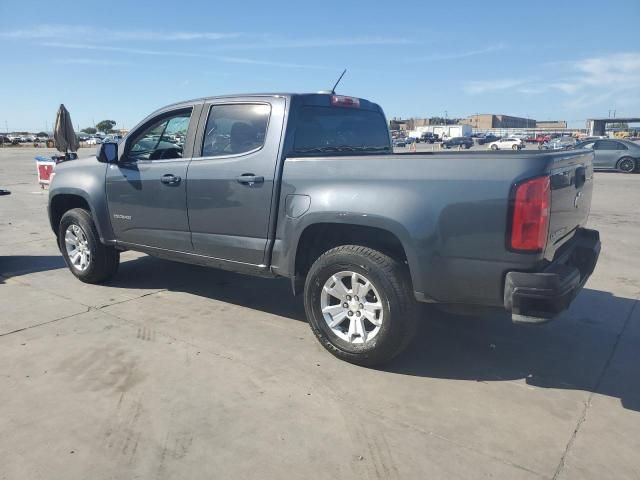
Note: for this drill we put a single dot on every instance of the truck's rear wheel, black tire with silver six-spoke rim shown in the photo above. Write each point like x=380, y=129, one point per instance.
x=360, y=305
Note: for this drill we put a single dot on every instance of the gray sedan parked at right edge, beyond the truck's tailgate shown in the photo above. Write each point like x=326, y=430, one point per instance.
x=621, y=155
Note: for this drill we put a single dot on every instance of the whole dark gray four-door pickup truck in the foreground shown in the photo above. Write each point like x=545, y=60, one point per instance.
x=307, y=187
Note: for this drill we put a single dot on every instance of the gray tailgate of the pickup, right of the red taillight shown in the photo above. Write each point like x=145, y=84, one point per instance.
x=571, y=188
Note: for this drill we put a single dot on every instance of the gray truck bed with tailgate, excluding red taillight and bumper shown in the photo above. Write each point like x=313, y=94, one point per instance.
x=456, y=242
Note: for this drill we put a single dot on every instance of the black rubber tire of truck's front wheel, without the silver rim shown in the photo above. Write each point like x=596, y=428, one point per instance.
x=104, y=260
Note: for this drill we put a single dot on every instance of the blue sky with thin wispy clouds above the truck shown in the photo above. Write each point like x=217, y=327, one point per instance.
x=121, y=60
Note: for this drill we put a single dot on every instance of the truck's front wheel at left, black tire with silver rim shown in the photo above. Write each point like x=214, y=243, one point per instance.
x=87, y=258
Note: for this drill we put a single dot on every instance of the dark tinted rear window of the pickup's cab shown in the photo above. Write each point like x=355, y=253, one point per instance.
x=331, y=129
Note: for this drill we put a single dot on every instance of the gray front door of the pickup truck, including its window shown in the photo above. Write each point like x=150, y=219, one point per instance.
x=146, y=189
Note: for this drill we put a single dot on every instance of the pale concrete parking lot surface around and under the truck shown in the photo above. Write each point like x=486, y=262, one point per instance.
x=177, y=371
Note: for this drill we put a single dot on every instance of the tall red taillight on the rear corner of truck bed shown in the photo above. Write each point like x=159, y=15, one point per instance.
x=530, y=222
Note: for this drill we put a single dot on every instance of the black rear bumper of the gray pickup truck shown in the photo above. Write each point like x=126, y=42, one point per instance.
x=535, y=297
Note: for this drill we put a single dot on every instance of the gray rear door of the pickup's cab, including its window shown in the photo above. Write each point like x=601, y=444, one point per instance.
x=231, y=178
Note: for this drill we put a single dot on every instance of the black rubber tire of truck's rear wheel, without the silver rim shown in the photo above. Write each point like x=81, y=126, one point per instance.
x=391, y=280
